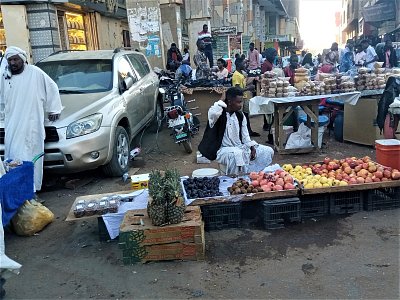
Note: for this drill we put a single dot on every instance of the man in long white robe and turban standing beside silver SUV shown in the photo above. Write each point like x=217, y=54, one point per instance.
x=28, y=96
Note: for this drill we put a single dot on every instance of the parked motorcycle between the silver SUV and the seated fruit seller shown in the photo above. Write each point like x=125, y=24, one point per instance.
x=180, y=120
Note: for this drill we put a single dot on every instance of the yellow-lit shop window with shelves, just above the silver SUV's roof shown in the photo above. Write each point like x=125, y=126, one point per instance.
x=76, y=31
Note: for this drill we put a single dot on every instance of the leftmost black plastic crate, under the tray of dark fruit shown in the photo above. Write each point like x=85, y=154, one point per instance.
x=220, y=216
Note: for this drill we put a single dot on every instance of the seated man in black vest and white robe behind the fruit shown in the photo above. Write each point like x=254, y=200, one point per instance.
x=226, y=138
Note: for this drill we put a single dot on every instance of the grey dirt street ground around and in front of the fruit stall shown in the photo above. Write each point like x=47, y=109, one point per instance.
x=353, y=256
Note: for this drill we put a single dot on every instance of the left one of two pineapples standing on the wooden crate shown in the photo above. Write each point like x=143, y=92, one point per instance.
x=156, y=208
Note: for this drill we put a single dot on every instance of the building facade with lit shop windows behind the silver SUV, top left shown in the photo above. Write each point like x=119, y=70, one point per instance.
x=49, y=26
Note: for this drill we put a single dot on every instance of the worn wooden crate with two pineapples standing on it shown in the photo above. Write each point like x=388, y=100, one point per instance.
x=141, y=241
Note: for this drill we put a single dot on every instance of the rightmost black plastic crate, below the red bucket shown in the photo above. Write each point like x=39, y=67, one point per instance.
x=383, y=198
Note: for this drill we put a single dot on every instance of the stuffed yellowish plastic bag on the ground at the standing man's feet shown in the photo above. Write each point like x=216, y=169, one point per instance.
x=31, y=217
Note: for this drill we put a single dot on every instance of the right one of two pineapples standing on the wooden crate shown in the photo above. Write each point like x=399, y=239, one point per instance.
x=173, y=194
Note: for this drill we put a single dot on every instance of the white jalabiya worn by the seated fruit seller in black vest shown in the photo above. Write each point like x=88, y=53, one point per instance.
x=234, y=153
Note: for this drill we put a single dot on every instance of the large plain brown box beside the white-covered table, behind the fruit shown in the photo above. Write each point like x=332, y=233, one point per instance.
x=360, y=122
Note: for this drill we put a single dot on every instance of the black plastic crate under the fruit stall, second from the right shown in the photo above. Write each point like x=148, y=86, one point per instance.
x=346, y=202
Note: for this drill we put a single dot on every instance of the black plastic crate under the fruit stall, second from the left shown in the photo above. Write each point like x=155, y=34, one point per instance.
x=277, y=212
